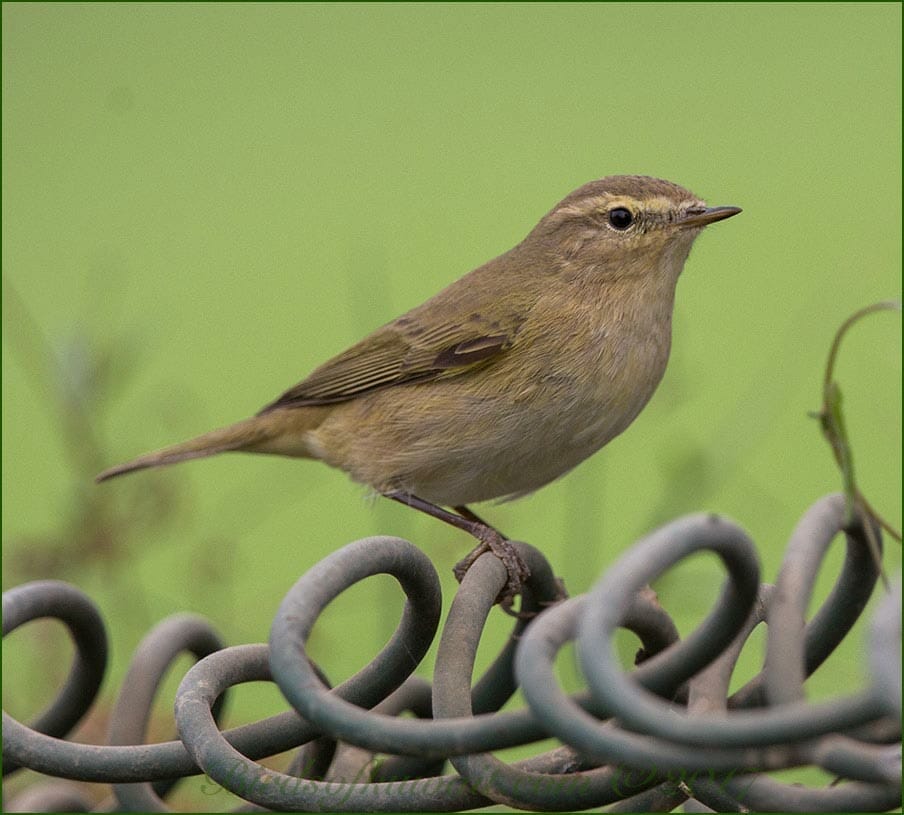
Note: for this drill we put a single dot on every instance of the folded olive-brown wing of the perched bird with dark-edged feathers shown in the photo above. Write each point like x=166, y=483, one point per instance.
x=399, y=353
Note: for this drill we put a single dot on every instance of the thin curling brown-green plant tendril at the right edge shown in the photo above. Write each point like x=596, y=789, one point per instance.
x=831, y=419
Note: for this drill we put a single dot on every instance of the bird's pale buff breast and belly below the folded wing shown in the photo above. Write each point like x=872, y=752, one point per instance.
x=561, y=392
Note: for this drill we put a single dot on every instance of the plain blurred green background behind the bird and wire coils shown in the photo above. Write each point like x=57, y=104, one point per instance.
x=202, y=202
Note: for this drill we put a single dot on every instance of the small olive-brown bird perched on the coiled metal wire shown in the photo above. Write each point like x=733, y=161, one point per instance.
x=506, y=379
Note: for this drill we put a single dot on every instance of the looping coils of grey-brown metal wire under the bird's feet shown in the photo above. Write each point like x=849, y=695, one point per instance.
x=666, y=734
